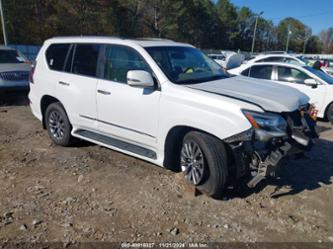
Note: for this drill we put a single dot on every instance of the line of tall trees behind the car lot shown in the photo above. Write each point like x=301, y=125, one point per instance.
x=203, y=23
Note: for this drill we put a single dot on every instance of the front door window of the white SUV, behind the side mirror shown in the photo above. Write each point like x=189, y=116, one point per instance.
x=119, y=60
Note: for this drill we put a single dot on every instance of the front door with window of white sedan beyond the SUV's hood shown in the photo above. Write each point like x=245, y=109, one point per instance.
x=295, y=78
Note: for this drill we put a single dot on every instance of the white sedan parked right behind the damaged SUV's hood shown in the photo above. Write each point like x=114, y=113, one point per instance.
x=315, y=83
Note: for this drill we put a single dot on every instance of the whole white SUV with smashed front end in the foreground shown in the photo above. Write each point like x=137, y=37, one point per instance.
x=169, y=104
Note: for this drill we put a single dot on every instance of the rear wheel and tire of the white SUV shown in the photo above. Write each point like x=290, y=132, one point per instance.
x=58, y=125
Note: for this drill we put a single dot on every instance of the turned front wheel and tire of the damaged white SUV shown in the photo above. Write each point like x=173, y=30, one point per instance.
x=215, y=170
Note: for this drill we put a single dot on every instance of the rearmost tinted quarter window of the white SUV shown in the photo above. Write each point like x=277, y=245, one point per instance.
x=56, y=55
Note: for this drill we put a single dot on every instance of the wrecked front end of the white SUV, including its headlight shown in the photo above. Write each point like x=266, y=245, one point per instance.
x=272, y=138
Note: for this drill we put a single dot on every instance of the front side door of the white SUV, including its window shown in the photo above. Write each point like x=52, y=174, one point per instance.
x=129, y=113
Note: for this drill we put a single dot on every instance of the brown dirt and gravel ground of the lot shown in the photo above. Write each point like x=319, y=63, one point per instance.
x=89, y=193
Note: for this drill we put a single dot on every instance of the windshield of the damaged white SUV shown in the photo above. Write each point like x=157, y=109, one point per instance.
x=186, y=65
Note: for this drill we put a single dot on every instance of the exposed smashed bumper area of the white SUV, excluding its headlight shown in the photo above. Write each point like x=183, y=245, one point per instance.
x=259, y=154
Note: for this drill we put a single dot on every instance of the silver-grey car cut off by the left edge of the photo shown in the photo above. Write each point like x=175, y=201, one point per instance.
x=14, y=70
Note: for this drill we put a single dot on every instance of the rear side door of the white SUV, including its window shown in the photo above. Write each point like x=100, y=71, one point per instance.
x=76, y=86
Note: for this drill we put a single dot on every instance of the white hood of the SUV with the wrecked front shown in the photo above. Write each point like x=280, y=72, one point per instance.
x=268, y=95
